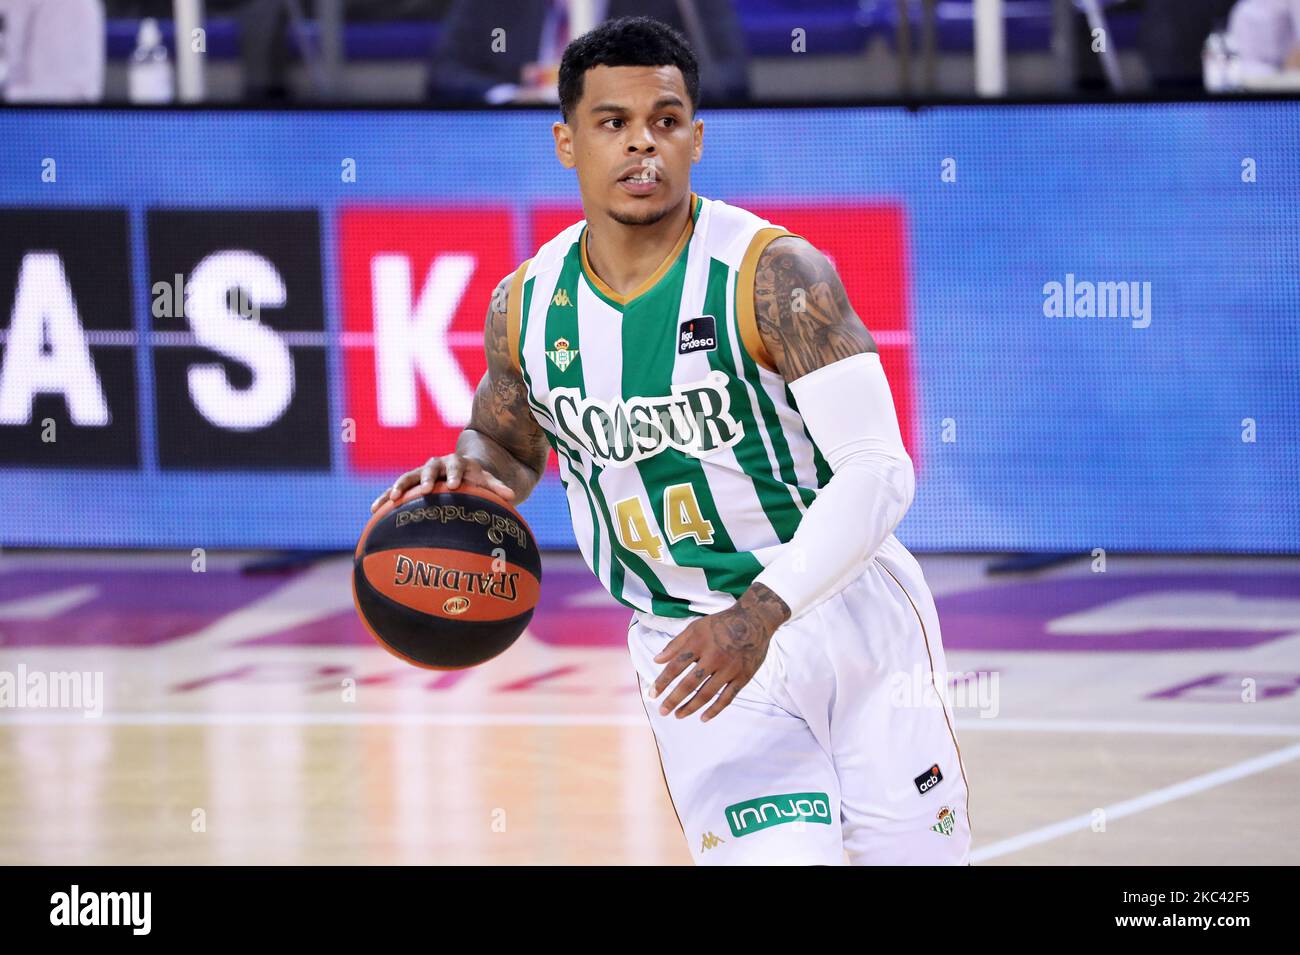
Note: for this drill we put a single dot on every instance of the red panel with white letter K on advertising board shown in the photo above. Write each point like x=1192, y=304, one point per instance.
x=417, y=286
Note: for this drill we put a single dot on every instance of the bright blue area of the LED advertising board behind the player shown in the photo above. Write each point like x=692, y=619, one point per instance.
x=1072, y=433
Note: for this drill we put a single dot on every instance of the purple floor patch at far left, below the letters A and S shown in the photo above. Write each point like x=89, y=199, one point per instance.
x=125, y=609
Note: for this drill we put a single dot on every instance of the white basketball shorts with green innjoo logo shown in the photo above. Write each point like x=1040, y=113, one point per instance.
x=835, y=748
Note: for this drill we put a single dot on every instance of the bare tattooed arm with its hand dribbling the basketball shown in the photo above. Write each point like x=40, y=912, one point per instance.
x=502, y=449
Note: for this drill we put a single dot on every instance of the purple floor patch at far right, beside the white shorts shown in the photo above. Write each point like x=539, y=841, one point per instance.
x=1017, y=617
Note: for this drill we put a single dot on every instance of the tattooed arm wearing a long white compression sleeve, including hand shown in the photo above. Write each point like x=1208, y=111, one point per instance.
x=807, y=327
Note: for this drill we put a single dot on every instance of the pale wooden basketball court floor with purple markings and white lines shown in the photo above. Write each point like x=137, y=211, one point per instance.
x=1143, y=715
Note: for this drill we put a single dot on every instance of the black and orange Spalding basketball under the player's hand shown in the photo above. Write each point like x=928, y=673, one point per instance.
x=447, y=580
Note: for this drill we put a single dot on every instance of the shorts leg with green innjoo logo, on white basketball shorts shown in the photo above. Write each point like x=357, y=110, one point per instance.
x=752, y=785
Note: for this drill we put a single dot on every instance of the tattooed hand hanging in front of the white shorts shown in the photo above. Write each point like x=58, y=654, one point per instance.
x=726, y=648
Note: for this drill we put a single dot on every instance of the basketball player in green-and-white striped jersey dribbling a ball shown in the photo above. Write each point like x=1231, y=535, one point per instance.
x=735, y=472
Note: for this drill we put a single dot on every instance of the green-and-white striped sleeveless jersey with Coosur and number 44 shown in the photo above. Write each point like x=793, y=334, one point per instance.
x=683, y=453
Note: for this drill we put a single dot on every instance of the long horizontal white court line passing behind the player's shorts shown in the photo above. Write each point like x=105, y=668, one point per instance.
x=66, y=718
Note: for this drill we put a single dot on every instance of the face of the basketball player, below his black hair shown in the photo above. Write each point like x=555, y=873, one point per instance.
x=632, y=141
